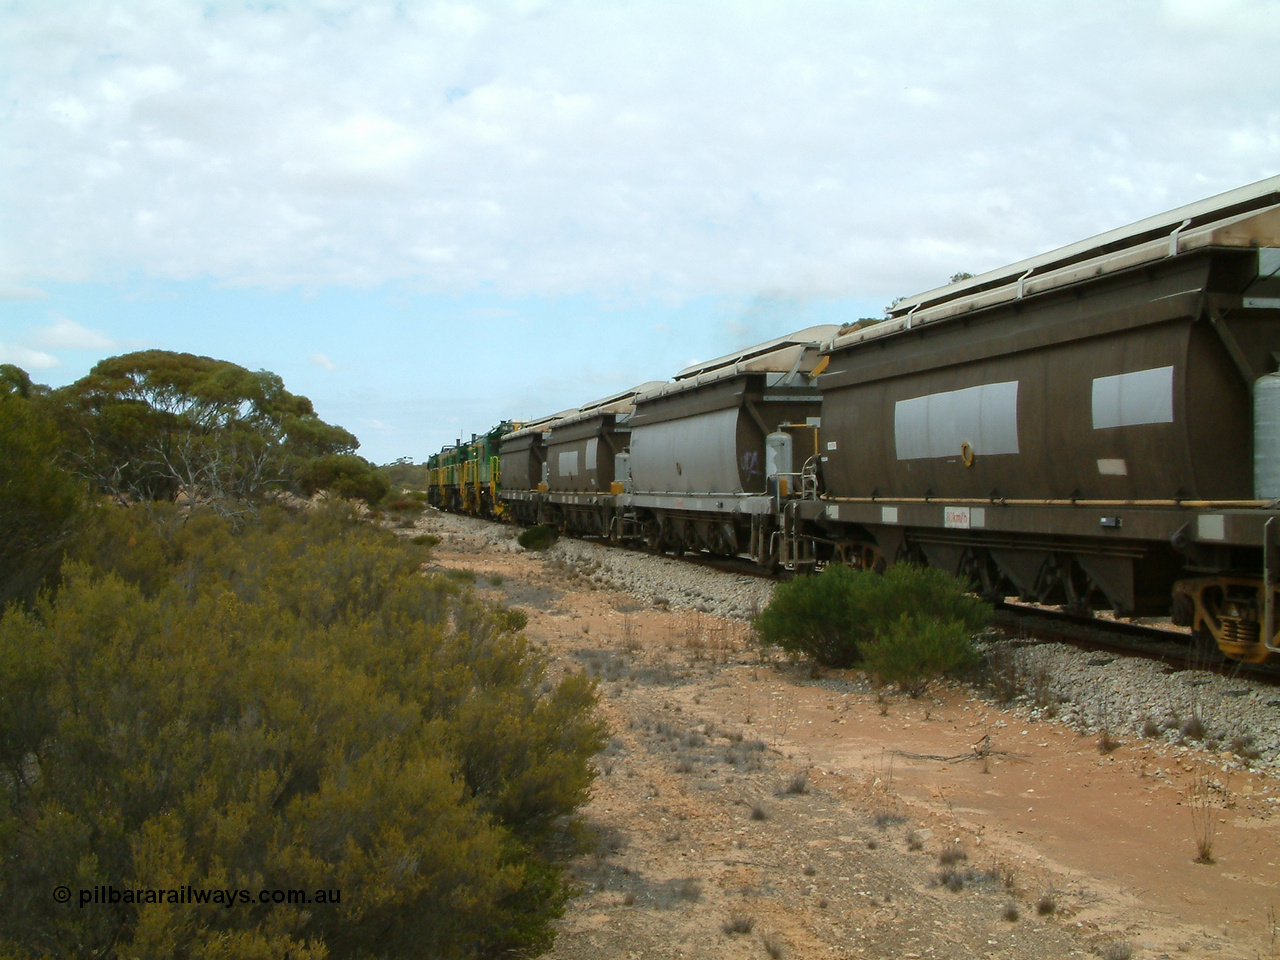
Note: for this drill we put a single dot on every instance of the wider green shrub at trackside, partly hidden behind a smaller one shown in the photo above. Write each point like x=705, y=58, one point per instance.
x=834, y=616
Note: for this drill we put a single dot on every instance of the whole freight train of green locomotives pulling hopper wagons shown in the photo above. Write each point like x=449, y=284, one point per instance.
x=1098, y=427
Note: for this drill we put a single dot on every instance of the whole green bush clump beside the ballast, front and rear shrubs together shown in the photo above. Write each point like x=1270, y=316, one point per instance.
x=908, y=618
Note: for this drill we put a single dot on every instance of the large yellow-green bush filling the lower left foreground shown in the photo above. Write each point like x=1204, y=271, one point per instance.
x=285, y=706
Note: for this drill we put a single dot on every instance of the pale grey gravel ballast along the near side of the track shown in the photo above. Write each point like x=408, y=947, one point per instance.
x=1237, y=721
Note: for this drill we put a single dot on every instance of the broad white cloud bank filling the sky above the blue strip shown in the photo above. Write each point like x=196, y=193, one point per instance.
x=614, y=149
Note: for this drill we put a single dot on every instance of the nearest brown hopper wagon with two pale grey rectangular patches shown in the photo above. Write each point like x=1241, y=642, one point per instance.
x=1098, y=427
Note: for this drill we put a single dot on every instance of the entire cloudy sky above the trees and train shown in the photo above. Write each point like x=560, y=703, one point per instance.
x=432, y=217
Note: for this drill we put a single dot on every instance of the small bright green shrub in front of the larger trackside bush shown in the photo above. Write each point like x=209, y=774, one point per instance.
x=920, y=650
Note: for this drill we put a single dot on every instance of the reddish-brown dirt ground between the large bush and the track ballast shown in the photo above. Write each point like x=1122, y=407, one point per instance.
x=749, y=810
